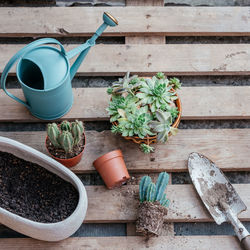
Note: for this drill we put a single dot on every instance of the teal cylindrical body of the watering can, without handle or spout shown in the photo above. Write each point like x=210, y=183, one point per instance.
x=46, y=84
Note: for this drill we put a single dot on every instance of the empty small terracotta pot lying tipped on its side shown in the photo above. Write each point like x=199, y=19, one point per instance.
x=112, y=169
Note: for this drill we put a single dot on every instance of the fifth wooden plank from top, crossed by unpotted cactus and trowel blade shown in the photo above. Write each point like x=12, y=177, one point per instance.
x=120, y=205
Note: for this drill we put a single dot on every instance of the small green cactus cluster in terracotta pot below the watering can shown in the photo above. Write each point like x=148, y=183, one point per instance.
x=65, y=142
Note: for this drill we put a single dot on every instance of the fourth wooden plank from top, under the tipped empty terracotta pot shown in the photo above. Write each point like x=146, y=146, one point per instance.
x=229, y=148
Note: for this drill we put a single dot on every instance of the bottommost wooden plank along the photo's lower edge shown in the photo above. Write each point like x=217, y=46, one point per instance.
x=109, y=243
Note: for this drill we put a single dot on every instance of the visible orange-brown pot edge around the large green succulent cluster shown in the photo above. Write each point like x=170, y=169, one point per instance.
x=152, y=139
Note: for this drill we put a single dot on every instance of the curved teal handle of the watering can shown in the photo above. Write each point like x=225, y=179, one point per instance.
x=13, y=60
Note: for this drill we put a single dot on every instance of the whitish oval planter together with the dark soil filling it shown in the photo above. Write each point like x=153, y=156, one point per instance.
x=38, y=197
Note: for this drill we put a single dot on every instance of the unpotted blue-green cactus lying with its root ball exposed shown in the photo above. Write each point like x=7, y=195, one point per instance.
x=153, y=205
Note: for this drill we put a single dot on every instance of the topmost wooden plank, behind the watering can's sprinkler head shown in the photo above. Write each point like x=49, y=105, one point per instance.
x=170, y=21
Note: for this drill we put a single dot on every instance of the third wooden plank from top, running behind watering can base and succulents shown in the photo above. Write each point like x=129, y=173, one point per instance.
x=198, y=103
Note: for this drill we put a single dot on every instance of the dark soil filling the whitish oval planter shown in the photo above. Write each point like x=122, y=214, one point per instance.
x=31, y=191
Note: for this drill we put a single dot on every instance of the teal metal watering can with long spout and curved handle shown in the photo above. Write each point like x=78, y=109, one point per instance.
x=45, y=74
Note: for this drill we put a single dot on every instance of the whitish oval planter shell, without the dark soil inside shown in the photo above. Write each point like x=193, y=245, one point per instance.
x=44, y=231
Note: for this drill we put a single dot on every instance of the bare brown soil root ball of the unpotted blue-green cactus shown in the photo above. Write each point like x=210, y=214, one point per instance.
x=150, y=218
